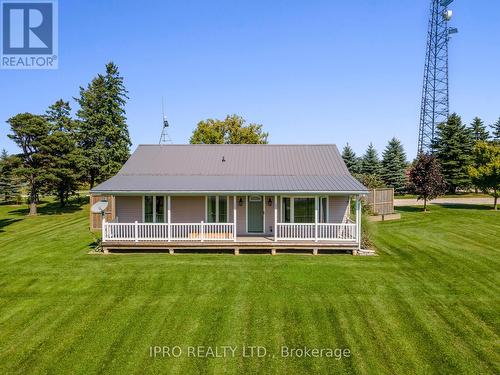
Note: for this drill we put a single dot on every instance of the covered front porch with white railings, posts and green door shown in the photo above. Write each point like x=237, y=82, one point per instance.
x=257, y=220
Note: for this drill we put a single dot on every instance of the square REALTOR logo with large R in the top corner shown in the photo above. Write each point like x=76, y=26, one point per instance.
x=29, y=34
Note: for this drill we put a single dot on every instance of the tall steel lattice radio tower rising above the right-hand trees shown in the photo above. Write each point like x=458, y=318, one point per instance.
x=435, y=101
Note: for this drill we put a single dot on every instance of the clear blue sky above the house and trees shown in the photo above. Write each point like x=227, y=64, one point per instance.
x=308, y=71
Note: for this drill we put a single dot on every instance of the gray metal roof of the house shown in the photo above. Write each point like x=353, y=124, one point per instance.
x=246, y=168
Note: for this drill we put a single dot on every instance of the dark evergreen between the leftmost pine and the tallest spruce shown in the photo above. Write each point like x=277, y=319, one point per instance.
x=65, y=158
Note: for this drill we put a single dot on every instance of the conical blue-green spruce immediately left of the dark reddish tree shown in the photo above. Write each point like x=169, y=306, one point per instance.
x=394, y=166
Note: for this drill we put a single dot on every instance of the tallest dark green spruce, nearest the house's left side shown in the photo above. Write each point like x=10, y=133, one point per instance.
x=102, y=129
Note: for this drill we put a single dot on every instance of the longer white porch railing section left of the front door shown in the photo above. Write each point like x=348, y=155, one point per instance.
x=139, y=232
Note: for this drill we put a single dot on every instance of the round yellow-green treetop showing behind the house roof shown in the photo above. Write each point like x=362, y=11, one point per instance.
x=231, y=130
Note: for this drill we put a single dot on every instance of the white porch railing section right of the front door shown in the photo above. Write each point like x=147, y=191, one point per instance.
x=317, y=232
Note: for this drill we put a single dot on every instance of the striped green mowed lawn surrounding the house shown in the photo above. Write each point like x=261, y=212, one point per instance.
x=429, y=303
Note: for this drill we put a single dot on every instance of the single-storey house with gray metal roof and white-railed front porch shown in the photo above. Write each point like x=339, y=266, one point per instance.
x=233, y=197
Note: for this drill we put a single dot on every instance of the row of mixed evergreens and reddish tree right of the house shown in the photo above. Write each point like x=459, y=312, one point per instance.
x=463, y=158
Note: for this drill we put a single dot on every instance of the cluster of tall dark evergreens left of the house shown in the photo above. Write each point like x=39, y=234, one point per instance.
x=60, y=152
